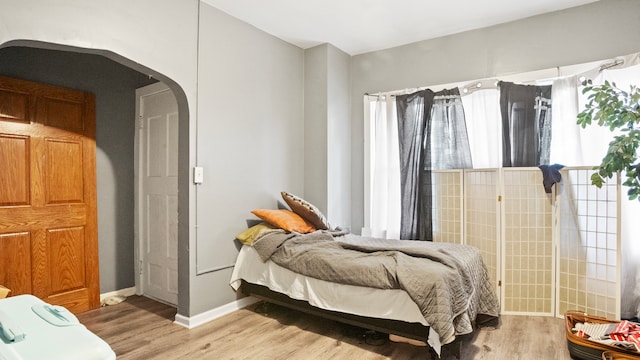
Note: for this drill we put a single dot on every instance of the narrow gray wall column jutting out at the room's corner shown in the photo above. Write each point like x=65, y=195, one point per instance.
x=327, y=132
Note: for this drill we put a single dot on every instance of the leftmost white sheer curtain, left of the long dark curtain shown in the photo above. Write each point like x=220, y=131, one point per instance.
x=382, y=218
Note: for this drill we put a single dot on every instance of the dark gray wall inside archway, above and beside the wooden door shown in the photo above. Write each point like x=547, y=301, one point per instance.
x=114, y=87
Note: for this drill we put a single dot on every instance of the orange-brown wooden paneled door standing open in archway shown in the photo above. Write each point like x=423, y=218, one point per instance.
x=48, y=220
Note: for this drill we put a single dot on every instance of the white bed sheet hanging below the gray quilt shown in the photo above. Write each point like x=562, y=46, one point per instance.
x=394, y=304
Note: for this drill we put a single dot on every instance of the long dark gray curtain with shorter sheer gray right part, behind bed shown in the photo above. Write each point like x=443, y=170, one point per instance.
x=432, y=135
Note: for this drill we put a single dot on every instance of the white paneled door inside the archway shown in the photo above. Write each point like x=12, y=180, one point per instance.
x=157, y=193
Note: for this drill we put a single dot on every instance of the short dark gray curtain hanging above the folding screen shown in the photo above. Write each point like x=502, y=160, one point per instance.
x=526, y=124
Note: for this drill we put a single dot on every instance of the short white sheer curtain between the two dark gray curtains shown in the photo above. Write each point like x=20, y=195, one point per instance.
x=482, y=113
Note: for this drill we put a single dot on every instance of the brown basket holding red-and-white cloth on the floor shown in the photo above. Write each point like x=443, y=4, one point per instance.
x=580, y=348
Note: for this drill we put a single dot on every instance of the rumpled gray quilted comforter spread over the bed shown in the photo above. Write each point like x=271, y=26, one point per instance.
x=448, y=282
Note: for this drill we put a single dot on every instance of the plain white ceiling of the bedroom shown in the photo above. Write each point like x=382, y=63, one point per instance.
x=359, y=26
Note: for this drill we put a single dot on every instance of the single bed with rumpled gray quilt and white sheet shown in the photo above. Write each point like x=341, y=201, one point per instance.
x=431, y=292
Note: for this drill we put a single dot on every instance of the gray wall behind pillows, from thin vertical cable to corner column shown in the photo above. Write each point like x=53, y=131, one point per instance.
x=249, y=141
